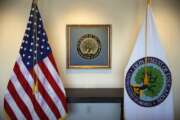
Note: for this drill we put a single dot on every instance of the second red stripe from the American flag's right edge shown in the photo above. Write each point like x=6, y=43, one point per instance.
x=53, y=84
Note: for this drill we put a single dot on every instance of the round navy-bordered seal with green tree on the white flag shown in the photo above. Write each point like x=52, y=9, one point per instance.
x=148, y=83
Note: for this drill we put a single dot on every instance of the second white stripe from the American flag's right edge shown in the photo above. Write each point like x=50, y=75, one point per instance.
x=49, y=90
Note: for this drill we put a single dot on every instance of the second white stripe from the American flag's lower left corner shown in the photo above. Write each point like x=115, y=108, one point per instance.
x=24, y=97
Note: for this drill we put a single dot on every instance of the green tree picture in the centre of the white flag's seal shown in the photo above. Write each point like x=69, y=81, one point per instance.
x=151, y=86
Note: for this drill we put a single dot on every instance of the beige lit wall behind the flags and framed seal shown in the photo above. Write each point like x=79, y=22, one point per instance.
x=126, y=17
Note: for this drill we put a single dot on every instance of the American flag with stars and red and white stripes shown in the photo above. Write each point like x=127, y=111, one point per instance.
x=35, y=90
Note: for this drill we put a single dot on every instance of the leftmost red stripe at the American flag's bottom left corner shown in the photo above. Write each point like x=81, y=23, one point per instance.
x=9, y=111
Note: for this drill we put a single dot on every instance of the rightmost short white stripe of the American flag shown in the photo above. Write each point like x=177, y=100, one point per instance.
x=54, y=74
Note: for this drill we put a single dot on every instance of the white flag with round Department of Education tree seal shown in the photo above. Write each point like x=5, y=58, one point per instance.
x=149, y=99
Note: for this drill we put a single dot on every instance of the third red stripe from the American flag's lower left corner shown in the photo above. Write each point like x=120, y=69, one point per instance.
x=29, y=91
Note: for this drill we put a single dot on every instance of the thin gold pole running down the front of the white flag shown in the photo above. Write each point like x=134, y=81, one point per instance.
x=146, y=79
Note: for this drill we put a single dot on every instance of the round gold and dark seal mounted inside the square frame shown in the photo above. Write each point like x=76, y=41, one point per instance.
x=89, y=46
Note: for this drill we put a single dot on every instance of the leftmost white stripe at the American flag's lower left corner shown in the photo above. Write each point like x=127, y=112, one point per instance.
x=19, y=115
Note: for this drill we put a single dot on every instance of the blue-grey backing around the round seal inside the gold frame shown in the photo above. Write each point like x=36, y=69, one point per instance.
x=77, y=33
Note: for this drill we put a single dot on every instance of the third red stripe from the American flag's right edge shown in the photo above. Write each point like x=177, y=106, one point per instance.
x=46, y=97
